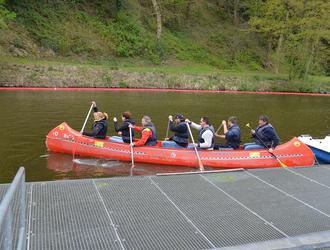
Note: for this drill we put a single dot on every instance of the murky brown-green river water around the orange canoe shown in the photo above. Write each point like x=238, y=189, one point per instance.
x=27, y=117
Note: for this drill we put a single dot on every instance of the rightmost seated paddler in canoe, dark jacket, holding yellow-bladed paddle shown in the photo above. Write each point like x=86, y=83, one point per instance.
x=264, y=135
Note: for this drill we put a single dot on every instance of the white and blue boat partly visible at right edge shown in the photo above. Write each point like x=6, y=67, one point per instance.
x=320, y=147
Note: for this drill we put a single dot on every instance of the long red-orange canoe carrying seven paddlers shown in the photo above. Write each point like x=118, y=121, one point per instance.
x=64, y=139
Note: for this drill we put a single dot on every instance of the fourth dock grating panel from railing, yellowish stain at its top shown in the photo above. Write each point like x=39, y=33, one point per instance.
x=285, y=213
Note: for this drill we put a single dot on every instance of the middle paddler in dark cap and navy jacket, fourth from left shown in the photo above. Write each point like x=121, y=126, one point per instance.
x=180, y=138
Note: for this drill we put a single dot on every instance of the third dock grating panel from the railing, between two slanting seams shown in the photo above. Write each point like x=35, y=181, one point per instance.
x=220, y=218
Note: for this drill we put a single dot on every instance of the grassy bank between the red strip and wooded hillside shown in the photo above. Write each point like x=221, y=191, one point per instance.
x=25, y=72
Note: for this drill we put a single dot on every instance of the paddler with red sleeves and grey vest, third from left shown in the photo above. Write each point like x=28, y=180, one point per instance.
x=148, y=131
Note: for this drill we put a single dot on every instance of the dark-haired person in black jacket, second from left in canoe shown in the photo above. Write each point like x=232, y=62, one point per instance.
x=123, y=129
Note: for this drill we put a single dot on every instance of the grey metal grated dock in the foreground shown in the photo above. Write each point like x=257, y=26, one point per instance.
x=255, y=209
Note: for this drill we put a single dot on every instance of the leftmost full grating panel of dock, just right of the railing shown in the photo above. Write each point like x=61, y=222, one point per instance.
x=69, y=215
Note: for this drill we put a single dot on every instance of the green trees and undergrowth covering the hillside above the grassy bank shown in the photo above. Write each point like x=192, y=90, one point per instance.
x=203, y=32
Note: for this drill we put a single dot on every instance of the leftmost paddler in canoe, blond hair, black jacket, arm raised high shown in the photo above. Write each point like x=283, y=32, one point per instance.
x=100, y=125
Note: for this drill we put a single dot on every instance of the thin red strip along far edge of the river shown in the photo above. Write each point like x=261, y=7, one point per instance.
x=160, y=90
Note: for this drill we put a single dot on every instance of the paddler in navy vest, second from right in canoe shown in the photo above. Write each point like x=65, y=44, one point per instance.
x=231, y=134
